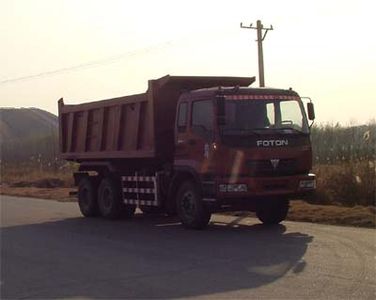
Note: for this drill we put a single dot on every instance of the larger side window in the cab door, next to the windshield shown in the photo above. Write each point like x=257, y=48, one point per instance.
x=202, y=117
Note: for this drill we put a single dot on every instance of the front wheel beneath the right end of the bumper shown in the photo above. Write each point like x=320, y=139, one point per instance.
x=272, y=211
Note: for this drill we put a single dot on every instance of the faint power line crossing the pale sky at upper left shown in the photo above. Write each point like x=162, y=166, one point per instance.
x=90, y=64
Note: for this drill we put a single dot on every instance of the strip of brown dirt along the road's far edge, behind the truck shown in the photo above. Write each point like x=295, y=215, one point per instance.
x=359, y=216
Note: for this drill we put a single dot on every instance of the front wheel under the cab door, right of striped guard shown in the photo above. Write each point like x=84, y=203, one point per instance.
x=191, y=210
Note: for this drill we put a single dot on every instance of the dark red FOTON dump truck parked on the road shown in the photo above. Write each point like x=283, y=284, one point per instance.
x=191, y=146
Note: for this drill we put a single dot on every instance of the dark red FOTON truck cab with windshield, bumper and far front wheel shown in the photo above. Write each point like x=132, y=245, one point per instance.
x=250, y=148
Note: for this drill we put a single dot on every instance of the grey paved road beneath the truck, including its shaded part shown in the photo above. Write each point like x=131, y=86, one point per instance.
x=48, y=250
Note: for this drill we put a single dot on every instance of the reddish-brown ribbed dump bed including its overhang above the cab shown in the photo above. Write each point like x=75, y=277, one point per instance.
x=137, y=126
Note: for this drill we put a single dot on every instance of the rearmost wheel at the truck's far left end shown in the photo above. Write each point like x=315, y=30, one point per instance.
x=87, y=197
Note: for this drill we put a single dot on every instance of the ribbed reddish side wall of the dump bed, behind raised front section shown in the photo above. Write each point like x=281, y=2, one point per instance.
x=116, y=128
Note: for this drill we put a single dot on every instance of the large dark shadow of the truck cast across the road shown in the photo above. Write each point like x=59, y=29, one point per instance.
x=147, y=257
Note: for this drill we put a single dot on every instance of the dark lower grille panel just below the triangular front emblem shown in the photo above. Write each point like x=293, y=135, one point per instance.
x=285, y=167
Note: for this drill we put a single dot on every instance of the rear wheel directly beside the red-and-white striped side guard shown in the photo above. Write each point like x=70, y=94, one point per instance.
x=110, y=200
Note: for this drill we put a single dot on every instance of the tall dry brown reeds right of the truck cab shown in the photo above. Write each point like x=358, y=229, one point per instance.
x=344, y=160
